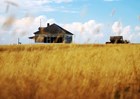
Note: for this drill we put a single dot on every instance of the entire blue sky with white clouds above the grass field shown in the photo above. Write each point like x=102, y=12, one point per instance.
x=92, y=21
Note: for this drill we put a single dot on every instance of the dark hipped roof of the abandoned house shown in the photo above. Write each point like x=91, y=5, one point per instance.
x=53, y=29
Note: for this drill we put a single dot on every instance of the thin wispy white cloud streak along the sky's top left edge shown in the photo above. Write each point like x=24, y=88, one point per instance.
x=33, y=6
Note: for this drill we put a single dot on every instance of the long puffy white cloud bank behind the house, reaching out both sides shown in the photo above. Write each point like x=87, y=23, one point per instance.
x=87, y=32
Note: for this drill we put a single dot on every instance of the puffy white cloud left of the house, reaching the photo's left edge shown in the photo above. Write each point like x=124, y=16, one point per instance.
x=21, y=28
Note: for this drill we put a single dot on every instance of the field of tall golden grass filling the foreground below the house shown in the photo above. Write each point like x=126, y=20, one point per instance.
x=70, y=71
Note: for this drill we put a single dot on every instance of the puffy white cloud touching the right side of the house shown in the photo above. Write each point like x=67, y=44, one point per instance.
x=87, y=32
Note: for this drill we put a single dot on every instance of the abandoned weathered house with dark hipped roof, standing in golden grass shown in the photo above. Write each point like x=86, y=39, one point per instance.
x=52, y=34
